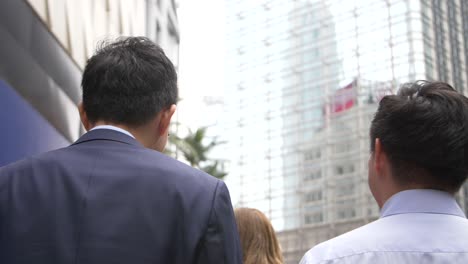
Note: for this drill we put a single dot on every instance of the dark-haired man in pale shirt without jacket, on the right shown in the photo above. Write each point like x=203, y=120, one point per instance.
x=419, y=160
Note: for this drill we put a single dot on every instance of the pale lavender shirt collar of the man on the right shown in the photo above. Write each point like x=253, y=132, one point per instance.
x=421, y=201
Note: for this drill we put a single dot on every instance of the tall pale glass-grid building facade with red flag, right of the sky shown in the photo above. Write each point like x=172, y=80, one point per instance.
x=303, y=80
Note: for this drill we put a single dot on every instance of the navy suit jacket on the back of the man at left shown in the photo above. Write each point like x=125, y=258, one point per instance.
x=106, y=199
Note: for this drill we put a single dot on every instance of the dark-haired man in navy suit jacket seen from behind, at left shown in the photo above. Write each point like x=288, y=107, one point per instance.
x=110, y=197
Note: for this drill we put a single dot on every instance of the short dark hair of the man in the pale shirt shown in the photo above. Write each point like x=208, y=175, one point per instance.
x=424, y=131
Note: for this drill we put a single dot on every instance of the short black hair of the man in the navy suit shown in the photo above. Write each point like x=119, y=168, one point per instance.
x=128, y=82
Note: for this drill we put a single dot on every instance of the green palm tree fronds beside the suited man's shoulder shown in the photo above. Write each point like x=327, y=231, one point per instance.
x=195, y=151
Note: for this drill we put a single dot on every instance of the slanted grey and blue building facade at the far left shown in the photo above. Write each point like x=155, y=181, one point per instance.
x=39, y=86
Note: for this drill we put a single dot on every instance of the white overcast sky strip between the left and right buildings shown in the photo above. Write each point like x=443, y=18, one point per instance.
x=201, y=57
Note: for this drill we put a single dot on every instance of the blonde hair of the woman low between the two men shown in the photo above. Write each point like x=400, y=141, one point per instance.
x=257, y=237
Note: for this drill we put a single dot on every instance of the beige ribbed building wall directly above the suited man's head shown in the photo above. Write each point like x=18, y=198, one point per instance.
x=79, y=25
